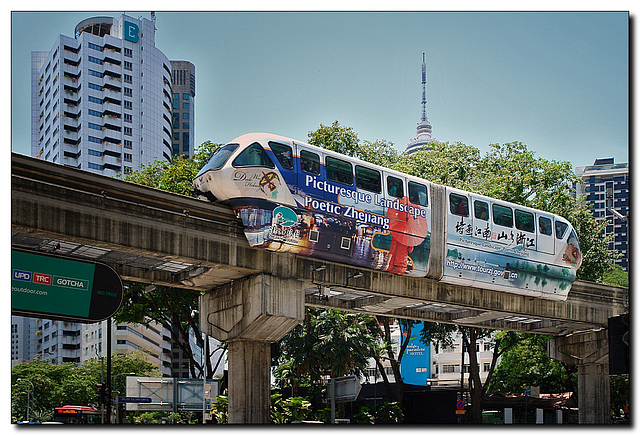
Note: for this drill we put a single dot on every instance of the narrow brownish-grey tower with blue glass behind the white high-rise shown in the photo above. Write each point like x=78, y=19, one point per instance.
x=184, y=92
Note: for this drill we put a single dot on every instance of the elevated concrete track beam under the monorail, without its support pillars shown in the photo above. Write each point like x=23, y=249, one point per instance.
x=156, y=237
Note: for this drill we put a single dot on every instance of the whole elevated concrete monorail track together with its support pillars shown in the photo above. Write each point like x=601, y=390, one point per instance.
x=253, y=297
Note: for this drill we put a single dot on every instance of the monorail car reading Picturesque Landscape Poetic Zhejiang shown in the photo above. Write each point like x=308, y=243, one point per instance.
x=298, y=198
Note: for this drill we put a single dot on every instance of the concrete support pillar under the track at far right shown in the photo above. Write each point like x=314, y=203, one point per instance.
x=590, y=352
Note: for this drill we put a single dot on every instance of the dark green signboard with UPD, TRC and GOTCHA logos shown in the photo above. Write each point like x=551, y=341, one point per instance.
x=45, y=285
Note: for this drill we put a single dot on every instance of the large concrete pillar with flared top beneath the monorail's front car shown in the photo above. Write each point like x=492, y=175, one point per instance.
x=249, y=315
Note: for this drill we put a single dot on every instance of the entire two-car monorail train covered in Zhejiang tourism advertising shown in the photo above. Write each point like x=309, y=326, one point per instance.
x=299, y=198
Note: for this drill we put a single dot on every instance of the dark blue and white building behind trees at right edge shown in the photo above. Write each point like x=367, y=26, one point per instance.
x=605, y=185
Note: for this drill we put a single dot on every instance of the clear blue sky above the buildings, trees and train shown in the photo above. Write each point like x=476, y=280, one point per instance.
x=557, y=81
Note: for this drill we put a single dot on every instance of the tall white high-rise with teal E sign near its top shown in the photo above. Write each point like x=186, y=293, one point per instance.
x=101, y=100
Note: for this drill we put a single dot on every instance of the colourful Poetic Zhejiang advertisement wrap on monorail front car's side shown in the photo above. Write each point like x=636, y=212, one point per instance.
x=375, y=232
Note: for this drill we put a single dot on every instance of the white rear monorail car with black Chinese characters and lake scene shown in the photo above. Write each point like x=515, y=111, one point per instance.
x=501, y=246
